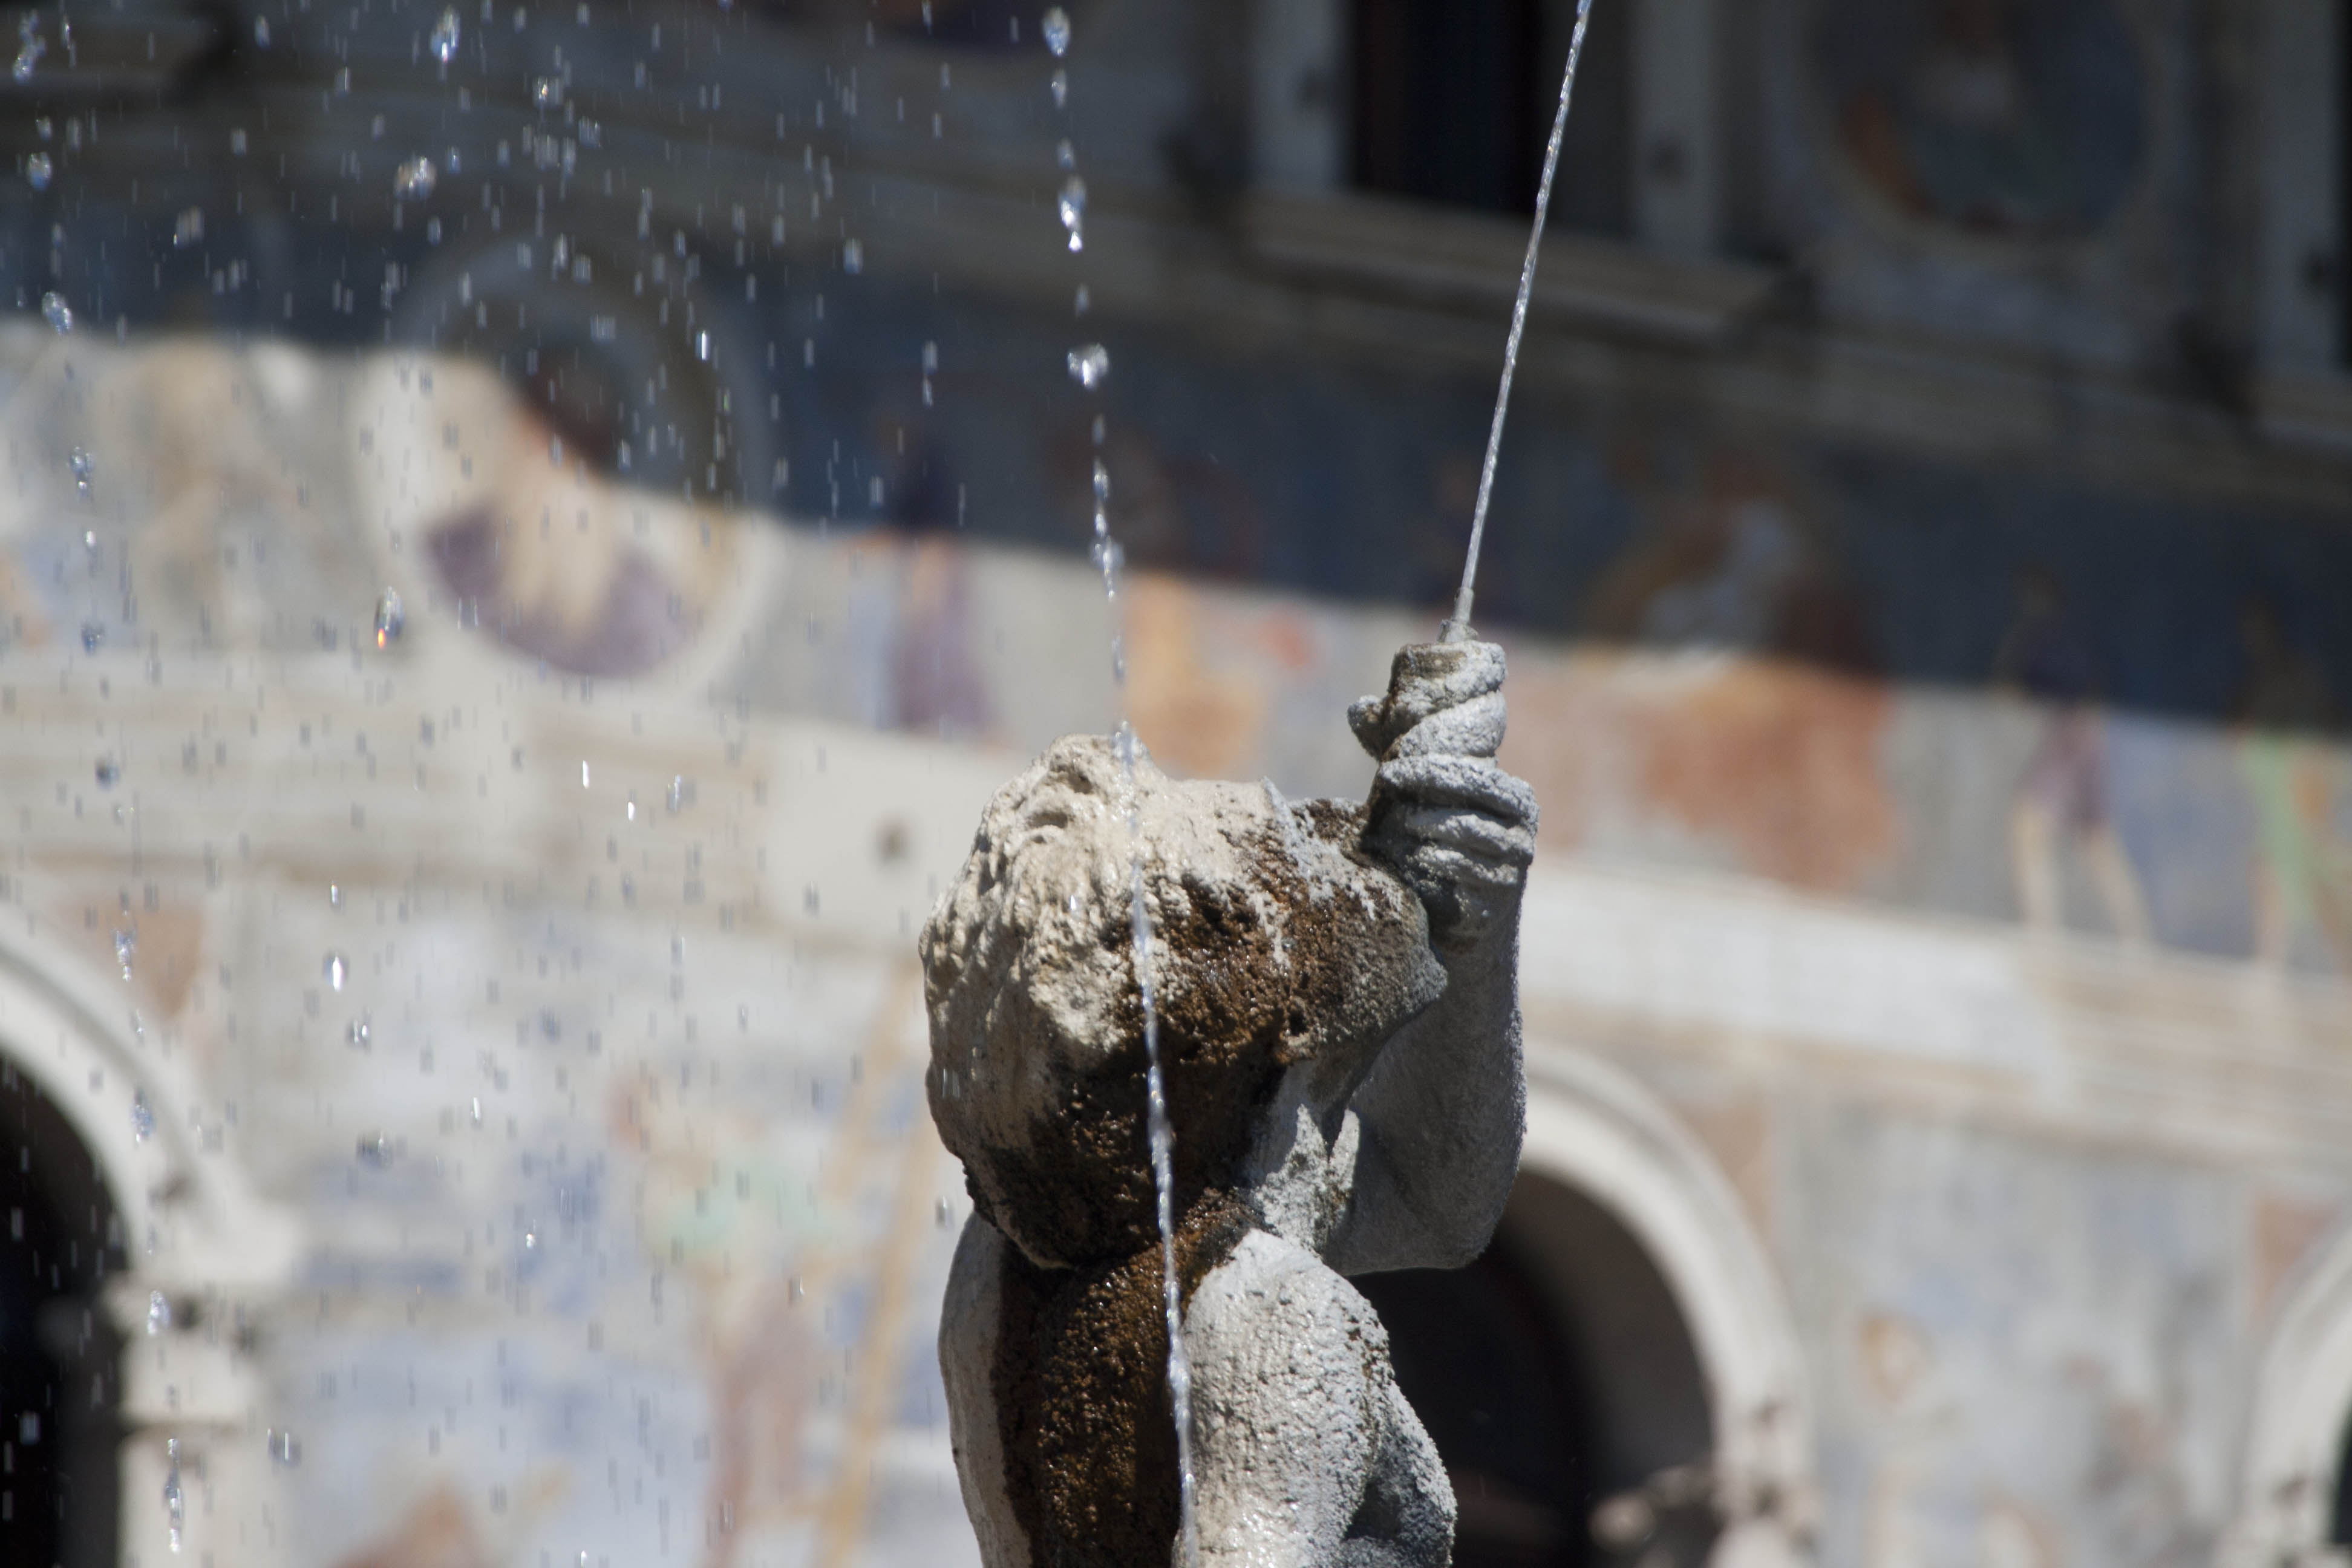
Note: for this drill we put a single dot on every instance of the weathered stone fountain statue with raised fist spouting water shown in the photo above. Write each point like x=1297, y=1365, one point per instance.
x=1342, y=1054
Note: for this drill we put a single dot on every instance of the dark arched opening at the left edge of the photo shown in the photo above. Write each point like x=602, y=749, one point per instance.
x=60, y=1386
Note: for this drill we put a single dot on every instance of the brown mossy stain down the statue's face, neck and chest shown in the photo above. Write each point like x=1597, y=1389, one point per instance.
x=1081, y=1372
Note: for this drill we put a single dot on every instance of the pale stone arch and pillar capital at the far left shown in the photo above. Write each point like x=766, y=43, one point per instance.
x=203, y=1259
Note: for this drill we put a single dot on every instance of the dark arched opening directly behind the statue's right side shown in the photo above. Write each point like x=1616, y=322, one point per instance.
x=1563, y=1391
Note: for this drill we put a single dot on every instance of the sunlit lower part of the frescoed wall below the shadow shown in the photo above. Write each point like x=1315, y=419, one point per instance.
x=505, y=1028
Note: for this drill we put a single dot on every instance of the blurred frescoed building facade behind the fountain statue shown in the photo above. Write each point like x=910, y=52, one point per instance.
x=488, y=711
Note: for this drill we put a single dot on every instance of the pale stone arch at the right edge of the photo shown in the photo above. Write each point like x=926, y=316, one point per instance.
x=2299, y=1421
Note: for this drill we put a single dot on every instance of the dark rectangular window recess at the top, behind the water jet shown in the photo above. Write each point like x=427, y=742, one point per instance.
x=1455, y=105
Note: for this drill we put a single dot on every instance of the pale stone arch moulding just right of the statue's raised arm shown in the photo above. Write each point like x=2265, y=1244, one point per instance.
x=1598, y=1132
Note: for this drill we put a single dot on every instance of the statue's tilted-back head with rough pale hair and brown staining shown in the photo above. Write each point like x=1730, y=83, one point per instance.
x=1281, y=953
